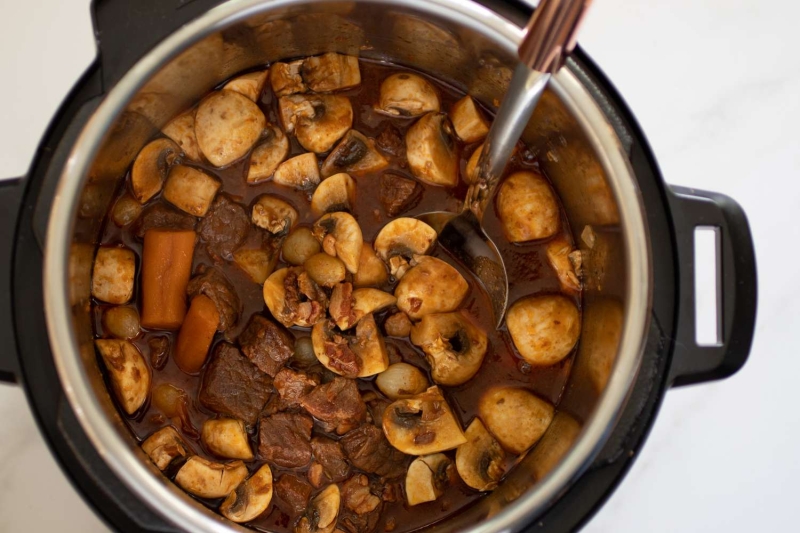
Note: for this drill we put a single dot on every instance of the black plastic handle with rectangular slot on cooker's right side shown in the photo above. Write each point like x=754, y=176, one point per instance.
x=736, y=283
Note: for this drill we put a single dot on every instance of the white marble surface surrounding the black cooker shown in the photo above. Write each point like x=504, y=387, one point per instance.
x=714, y=84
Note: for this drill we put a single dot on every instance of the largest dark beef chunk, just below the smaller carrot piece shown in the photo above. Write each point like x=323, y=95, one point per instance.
x=233, y=386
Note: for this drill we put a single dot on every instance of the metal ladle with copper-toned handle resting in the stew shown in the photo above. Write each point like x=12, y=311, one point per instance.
x=550, y=37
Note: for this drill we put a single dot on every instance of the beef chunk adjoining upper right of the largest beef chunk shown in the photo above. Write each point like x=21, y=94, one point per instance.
x=267, y=344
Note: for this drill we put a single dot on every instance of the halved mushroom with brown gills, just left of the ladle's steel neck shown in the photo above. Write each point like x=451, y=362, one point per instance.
x=432, y=151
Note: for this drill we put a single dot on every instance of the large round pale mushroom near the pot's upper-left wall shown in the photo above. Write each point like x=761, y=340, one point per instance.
x=227, y=125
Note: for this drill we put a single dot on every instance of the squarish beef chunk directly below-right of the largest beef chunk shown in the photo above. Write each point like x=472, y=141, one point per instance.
x=285, y=439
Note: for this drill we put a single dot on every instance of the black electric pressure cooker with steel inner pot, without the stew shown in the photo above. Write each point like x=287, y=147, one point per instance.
x=636, y=235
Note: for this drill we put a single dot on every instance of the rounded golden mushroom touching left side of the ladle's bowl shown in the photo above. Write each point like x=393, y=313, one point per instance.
x=430, y=286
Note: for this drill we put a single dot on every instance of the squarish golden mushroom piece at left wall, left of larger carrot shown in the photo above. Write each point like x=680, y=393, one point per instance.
x=113, y=274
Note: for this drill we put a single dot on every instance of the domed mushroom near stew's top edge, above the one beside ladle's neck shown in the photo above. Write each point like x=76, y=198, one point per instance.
x=407, y=95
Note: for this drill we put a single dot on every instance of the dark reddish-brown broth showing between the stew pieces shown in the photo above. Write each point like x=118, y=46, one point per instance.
x=528, y=271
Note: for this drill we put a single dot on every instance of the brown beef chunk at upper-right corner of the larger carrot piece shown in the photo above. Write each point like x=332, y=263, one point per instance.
x=224, y=227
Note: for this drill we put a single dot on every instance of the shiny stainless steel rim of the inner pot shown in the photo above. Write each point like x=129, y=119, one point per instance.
x=118, y=454
